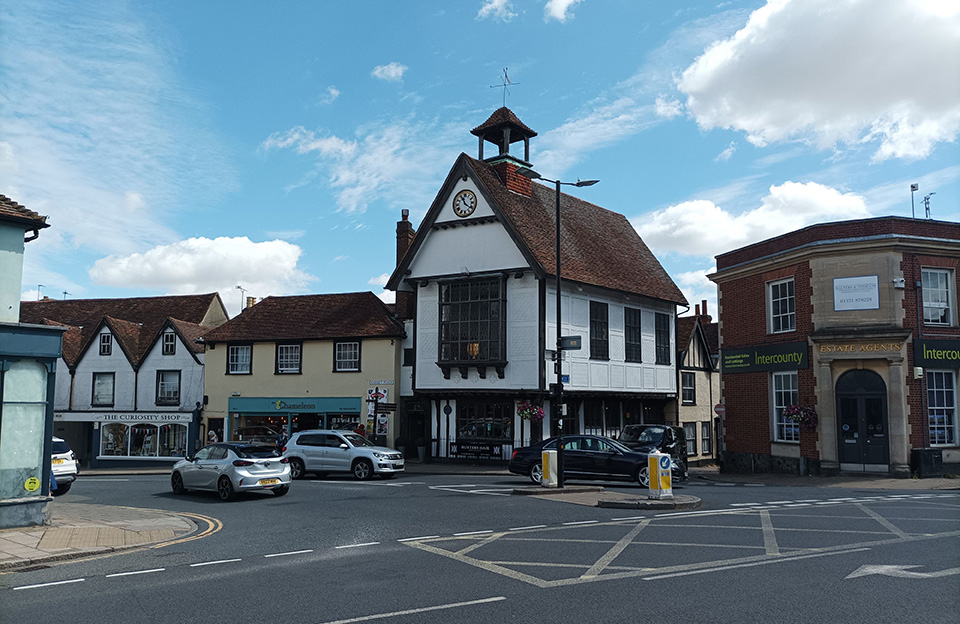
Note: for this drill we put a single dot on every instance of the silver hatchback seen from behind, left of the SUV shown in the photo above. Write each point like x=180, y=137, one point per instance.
x=230, y=467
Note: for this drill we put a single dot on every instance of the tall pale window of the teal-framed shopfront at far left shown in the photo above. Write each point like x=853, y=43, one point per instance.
x=22, y=426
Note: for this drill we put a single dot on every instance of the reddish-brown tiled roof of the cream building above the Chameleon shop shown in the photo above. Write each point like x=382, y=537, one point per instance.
x=311, y=317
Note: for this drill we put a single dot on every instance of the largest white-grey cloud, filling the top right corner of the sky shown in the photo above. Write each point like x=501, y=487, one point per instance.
x=858, y=71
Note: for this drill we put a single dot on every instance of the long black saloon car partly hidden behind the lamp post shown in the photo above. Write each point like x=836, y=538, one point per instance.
x=584, y=457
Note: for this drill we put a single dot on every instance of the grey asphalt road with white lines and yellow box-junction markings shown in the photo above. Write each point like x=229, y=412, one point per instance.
x=454, y=548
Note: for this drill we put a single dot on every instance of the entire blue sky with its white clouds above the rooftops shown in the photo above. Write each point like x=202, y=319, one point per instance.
x=184, y=147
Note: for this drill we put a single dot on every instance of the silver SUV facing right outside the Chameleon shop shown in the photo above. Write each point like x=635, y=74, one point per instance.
x=325, y=450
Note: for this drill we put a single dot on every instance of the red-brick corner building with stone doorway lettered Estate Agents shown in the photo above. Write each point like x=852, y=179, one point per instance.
x=854, y=321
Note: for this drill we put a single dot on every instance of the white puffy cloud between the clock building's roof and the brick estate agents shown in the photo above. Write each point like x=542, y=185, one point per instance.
x=703, y=229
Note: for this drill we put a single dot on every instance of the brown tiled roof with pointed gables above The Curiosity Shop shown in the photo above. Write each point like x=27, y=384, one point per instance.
x=134, y=321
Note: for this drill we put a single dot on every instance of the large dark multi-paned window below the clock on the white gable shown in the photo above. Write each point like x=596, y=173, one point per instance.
x=473, y=321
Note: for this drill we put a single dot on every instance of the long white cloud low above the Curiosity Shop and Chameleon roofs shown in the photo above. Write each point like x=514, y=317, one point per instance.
x=200, y=265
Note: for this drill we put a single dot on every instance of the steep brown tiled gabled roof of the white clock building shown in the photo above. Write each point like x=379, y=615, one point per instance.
x=599, y=246
